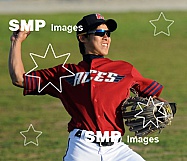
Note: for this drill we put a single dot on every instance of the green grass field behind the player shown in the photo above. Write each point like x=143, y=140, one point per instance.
x=161, y=57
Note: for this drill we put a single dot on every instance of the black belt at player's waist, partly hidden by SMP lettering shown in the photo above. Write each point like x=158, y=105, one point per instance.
x=104, y=143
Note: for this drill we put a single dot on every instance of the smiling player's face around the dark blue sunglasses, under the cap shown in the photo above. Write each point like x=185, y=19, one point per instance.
x=98, y=45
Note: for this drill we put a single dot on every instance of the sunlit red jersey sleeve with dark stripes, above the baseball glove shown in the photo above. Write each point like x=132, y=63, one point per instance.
x=144, y=86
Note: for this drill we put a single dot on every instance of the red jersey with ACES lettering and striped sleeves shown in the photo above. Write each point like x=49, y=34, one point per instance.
x=93, y=94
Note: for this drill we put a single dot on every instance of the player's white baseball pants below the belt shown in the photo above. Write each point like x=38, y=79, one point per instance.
x=81, y=150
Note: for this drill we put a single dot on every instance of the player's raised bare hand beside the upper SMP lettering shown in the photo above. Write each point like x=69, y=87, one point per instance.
x=19, y=35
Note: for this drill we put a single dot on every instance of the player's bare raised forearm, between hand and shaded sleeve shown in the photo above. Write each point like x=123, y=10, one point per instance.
x=16, y=68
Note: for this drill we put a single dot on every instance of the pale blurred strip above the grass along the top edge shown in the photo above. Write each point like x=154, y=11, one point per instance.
x=48, y=6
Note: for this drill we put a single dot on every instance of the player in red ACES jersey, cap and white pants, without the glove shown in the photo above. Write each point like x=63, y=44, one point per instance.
x=92, y=96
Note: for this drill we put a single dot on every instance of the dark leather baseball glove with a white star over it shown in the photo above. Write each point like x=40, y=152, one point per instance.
x=147, y=115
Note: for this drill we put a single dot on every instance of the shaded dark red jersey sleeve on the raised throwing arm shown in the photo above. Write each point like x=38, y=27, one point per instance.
x=42, y=82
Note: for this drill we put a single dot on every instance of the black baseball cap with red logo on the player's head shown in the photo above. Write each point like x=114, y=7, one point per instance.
x=91, y=21
